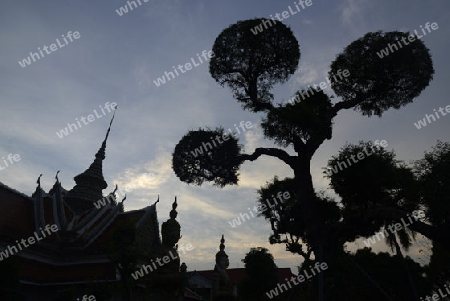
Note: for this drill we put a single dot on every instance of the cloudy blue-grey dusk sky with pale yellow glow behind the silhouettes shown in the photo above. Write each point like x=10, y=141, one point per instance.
x=116, y=57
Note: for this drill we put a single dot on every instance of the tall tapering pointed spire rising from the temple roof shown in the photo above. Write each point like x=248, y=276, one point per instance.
x=90, y=183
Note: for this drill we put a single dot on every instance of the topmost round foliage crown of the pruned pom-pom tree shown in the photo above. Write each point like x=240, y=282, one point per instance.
x=251, y=64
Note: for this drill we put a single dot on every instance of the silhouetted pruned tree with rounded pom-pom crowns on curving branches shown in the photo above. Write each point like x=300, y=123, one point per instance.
x=250, y=65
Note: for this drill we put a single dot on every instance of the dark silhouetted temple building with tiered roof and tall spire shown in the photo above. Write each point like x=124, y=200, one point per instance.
x=62, y=247
